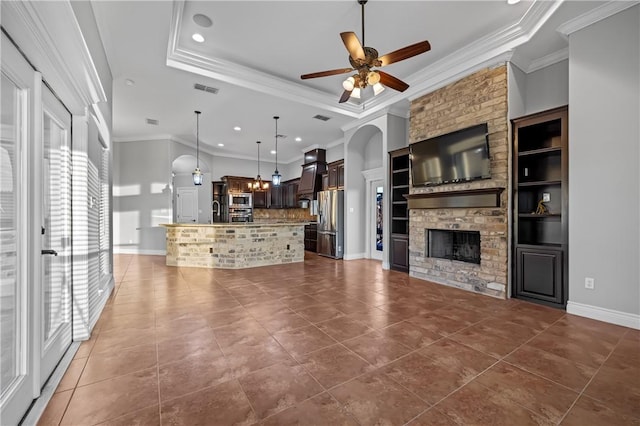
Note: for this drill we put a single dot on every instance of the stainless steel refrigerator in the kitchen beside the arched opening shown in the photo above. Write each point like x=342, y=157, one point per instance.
x=331, y=223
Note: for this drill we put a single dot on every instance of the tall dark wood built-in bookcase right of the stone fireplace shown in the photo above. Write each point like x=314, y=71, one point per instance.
x=540, y=165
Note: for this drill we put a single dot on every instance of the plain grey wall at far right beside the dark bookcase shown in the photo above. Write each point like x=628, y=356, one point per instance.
x=604, y=183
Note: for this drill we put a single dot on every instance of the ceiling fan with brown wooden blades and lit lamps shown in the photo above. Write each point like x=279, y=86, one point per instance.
x=363, y=59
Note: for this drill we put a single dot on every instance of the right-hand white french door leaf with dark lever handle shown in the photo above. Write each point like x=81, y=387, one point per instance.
x=55, y=233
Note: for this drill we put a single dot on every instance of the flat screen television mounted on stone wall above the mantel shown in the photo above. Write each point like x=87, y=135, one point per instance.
x=460, y=156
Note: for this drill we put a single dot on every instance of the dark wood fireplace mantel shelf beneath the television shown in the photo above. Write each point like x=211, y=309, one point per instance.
x=467, y=198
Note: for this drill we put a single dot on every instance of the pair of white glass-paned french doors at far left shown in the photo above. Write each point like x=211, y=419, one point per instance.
x=35, y=234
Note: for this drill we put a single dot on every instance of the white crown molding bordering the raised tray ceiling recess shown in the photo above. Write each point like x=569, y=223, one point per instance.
x=486, y=51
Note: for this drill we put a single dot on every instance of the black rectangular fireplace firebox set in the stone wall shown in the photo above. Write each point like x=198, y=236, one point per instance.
x=463, y=246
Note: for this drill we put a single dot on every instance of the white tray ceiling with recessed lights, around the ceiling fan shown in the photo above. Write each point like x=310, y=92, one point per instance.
x=255, y=52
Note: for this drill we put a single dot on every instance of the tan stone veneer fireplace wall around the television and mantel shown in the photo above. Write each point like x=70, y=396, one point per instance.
x=475, y=99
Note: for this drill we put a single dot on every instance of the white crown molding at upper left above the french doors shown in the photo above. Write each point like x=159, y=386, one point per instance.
x=49, y=35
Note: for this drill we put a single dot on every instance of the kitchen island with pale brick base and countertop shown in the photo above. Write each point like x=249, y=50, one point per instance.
x=234, y=245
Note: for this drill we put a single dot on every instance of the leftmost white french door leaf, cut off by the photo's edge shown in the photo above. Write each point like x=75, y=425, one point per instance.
x=16, y=262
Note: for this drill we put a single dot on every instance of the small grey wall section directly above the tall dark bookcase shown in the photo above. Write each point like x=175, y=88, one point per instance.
x=547, y=88
